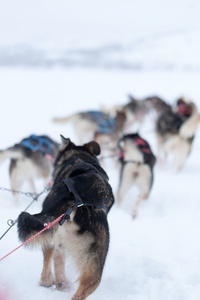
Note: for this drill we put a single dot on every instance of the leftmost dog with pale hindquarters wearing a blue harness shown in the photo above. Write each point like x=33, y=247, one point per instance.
x=31, y=158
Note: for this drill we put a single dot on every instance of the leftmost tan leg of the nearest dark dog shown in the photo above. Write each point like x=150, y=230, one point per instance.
x=47, y=276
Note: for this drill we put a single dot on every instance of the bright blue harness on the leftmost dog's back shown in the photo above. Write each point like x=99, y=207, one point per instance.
x=40, y=146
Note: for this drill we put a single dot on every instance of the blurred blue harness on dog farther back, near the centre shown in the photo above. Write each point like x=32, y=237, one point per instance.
x=105, y=123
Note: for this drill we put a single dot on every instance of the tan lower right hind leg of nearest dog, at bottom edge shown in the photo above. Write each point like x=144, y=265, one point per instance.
x=88, y=282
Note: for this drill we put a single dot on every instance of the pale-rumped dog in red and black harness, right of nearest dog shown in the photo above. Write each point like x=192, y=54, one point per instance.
x=137, y=162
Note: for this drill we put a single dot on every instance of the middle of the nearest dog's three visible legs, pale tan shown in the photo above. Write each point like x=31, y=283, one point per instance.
x=61, y=281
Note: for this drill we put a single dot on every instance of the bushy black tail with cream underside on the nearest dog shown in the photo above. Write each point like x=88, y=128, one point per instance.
x=29, y=225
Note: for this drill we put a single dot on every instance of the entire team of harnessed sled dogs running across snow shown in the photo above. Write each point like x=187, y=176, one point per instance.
x=80, y=187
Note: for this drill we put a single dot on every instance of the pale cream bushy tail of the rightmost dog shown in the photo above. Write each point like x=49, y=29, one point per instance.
x=188, y=128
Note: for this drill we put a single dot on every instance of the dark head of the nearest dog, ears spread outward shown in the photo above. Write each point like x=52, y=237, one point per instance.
x=69, y=150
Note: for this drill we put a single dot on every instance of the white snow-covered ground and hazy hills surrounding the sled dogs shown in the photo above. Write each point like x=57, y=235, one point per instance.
x=60, y=57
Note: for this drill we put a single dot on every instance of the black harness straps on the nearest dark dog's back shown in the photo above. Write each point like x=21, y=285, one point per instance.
x=70, y=184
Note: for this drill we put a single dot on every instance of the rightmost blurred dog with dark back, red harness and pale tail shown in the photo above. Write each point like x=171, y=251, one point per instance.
x=175, y=131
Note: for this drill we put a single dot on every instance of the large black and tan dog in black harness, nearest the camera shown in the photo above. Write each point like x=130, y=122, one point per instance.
x=81, y=191
